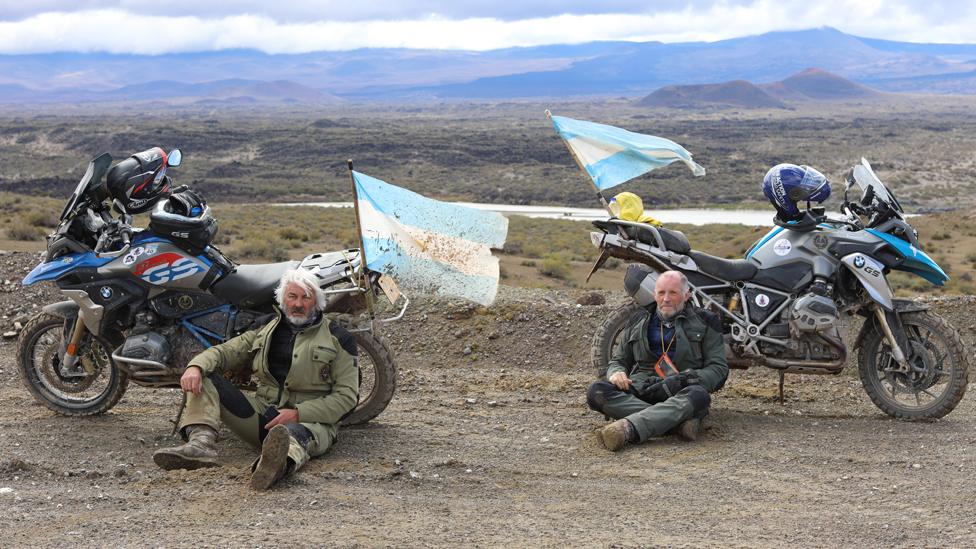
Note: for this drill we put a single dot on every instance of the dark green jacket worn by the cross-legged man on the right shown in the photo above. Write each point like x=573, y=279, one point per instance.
x=698, y=346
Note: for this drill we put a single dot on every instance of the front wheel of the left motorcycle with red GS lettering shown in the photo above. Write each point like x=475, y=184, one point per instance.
x=91, y=387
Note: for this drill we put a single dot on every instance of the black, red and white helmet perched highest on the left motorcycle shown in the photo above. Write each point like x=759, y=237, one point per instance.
x=139, y=181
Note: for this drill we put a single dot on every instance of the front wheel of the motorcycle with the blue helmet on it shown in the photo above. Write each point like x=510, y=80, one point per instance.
x=936, y=378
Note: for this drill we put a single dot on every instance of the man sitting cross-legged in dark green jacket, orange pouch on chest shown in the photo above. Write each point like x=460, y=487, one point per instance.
x=669, y=358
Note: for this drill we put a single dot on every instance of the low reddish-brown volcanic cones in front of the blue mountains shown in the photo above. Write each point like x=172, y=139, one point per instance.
x=810, y=85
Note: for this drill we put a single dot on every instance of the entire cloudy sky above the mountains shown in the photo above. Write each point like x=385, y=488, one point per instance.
x=296, y=26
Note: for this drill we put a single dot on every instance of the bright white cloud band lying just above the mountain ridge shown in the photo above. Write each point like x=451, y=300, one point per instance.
x=120, y=31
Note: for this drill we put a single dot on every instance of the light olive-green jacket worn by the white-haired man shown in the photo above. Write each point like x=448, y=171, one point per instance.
x=322, y=384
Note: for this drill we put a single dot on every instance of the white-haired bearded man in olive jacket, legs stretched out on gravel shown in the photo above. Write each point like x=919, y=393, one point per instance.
x=307, y=380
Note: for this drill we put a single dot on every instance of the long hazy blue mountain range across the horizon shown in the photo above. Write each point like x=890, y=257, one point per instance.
x=591, y=69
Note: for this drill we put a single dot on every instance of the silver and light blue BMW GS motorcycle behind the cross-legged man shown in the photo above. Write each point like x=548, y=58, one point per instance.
x=781, y=304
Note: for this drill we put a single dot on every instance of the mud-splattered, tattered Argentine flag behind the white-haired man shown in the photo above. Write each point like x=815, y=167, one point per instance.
x=430, y=246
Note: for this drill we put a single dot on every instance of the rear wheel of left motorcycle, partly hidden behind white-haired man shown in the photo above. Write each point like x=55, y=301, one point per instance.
x=377, y=375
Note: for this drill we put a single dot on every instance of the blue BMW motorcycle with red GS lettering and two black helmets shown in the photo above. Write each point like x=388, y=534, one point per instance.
x=142, y=303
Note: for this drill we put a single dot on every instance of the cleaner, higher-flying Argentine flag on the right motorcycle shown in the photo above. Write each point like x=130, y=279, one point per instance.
x=612, y=156
